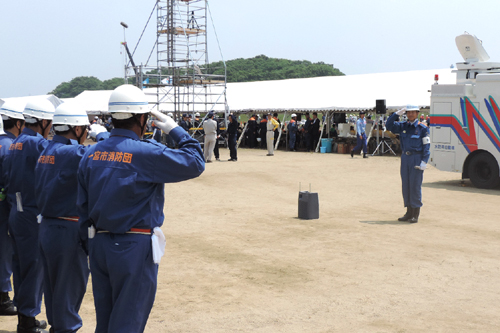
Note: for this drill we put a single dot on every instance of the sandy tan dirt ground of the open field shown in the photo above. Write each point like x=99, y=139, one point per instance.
x=239, y=260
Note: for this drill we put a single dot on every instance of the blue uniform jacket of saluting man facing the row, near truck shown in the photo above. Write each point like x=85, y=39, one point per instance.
x=411, y=135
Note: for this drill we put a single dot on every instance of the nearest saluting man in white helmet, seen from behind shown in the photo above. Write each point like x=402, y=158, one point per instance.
x=120, y=201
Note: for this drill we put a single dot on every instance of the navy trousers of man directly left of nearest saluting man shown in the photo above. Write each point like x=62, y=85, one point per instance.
x=66, y=273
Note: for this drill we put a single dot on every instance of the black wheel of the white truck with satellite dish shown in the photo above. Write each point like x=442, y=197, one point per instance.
x=483, y=171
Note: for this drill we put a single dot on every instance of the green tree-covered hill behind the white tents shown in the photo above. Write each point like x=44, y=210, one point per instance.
x=259, y=68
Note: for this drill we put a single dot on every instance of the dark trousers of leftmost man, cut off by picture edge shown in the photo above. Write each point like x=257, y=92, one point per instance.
x=5, y=249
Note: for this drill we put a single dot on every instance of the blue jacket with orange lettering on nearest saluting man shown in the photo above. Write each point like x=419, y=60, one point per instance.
x=121, y=180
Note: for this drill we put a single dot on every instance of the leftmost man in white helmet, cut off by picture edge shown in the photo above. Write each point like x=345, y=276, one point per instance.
x=10, y=127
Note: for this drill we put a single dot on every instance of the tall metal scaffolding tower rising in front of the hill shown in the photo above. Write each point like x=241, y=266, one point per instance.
x=183, y=81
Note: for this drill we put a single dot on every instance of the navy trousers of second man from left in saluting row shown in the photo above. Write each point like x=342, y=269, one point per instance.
x=26, y=264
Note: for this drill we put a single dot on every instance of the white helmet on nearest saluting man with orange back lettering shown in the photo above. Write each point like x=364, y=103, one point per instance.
x=127, y=100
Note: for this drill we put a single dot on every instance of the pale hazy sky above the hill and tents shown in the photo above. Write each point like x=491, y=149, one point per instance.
x=44, y=43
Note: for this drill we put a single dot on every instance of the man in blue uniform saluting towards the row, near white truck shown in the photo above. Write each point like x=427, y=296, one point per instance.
x=415, y=144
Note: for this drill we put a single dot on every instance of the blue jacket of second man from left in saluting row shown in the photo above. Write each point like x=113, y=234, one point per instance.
x=19, y=167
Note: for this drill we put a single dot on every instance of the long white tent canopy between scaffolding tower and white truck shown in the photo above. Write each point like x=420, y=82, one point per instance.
x=337, y=93
